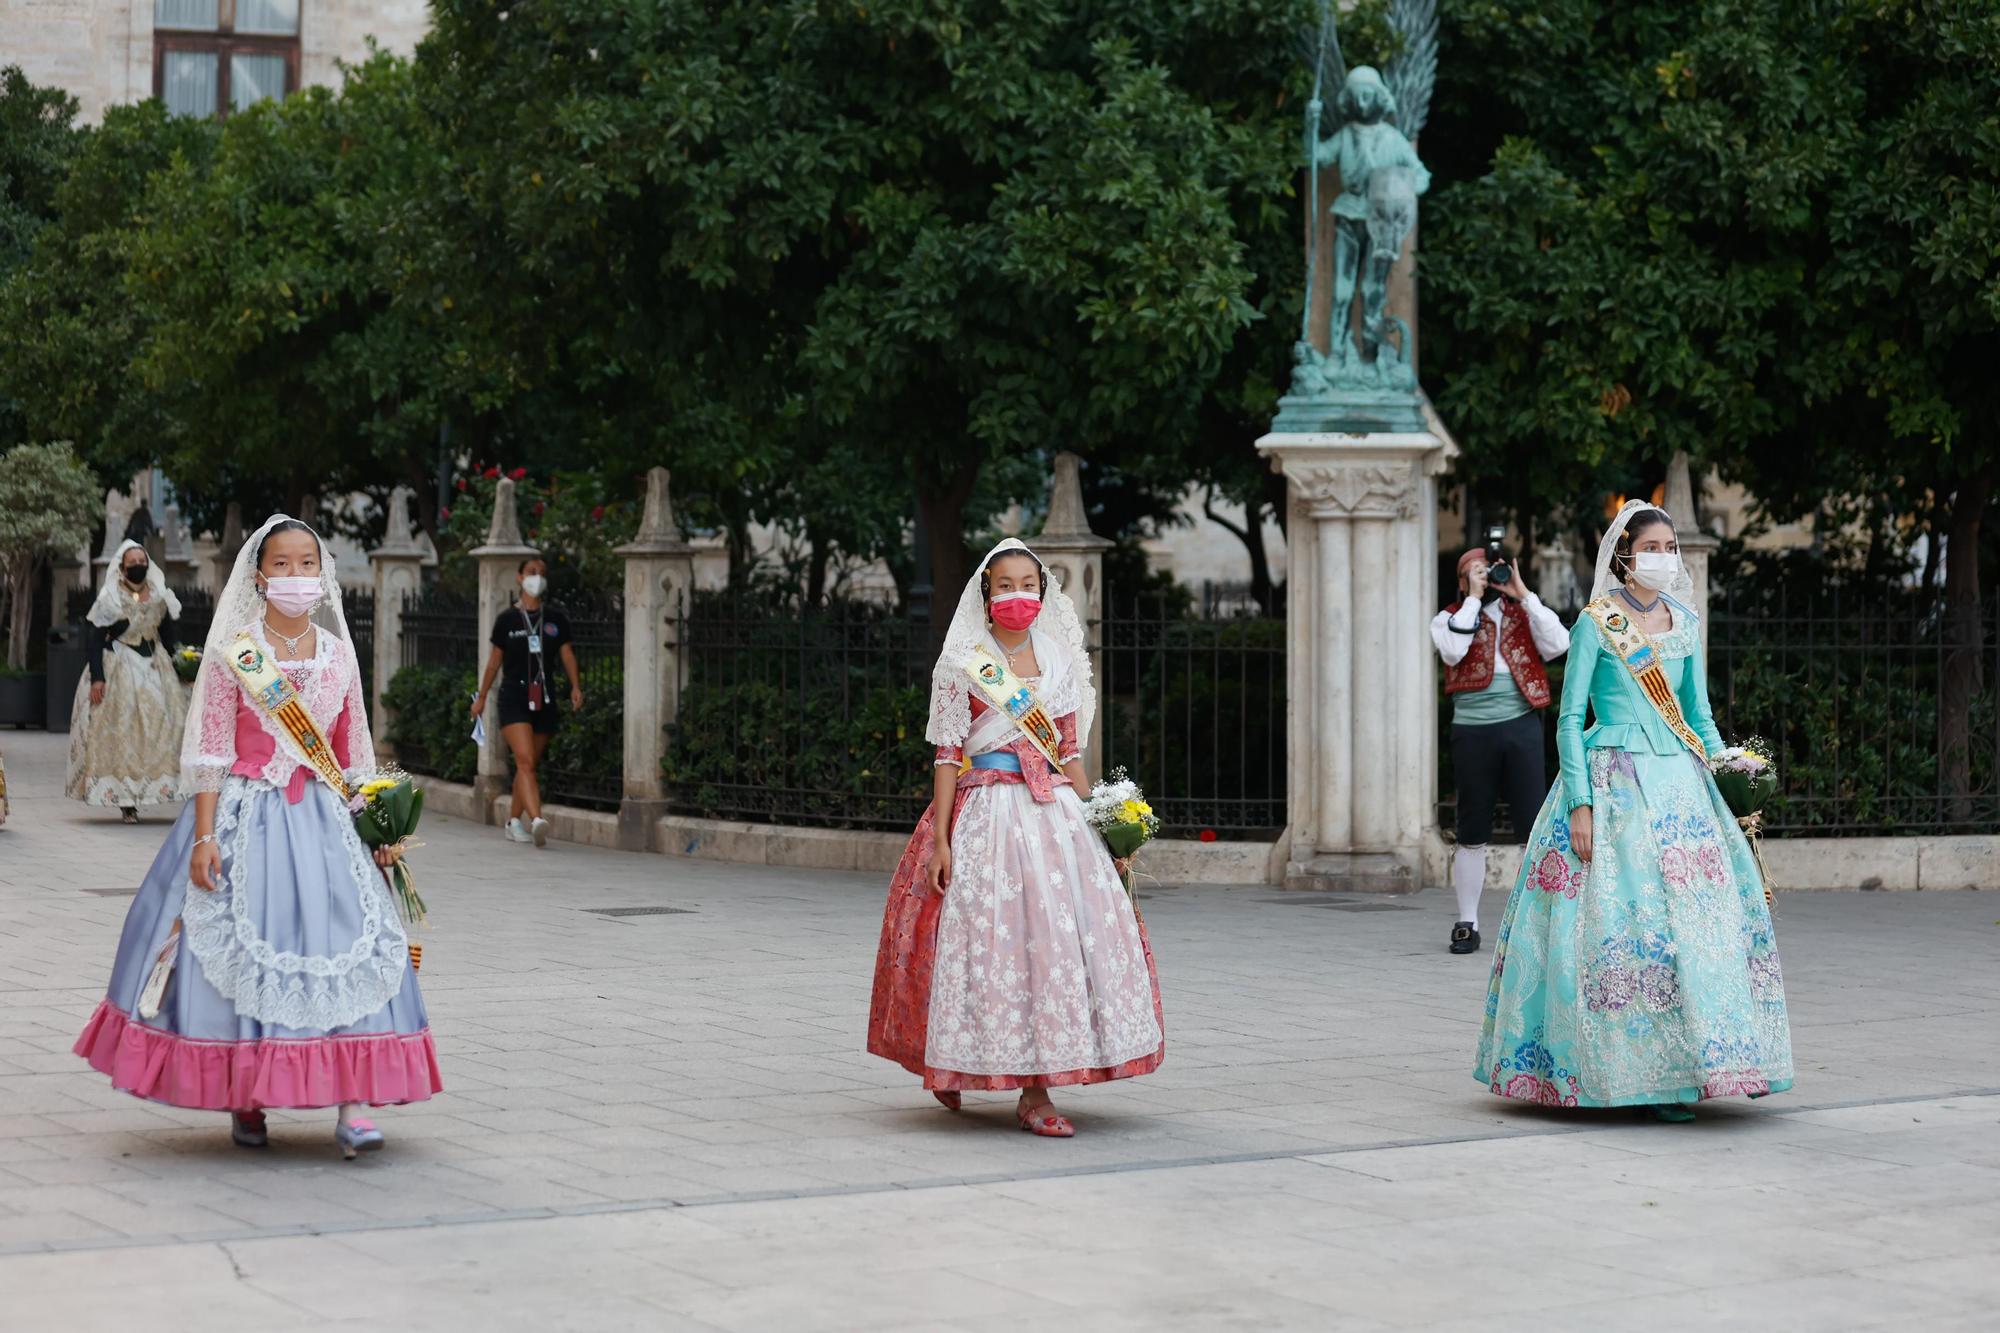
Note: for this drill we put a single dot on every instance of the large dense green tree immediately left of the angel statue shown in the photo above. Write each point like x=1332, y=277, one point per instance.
x=863, y=245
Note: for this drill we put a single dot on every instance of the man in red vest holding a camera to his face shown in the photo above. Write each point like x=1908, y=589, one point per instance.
x=1493, y=641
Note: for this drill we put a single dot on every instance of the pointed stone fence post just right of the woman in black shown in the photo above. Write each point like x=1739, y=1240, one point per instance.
x=659, y=583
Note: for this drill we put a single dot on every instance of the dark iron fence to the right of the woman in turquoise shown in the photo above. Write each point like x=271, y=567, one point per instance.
x=1849, y=690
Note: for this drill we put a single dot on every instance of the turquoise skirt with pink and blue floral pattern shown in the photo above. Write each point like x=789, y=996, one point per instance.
x=1649, y=974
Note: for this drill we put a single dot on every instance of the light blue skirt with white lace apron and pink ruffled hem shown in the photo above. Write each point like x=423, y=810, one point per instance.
x=293, y=984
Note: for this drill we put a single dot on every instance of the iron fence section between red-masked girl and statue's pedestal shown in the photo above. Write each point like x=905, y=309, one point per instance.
x=1195, y=710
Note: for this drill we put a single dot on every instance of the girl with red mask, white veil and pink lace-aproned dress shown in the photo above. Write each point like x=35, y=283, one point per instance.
x=1011, y=956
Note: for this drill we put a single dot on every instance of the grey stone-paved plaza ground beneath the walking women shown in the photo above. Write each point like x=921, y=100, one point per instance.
x=667, y=1122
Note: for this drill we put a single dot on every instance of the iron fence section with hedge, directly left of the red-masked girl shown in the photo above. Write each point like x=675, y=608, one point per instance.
x=801, y=718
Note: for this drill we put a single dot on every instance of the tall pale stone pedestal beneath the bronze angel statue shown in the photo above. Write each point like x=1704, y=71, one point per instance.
x=1363, y=702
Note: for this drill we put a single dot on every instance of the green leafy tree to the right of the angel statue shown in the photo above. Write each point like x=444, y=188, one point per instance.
x=1755, y=231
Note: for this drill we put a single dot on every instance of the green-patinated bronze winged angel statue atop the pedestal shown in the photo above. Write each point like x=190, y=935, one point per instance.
x=1379, y=117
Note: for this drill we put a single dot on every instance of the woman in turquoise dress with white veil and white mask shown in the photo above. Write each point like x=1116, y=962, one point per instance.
x=1637, y=964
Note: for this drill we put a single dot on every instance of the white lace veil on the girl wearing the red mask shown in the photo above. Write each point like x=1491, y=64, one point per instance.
x=1059, y=647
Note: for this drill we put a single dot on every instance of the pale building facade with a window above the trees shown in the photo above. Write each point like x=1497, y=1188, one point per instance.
x=201, y=57
